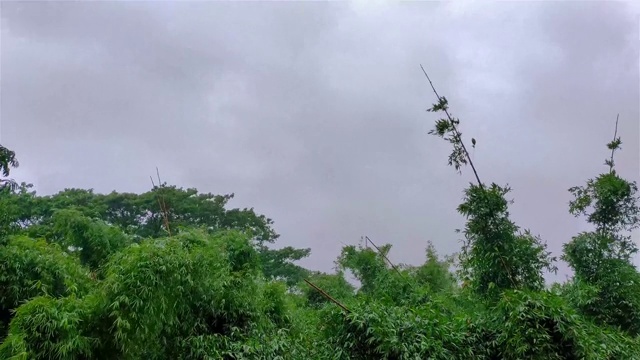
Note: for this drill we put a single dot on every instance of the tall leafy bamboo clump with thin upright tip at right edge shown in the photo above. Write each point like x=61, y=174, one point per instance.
x=606, y=286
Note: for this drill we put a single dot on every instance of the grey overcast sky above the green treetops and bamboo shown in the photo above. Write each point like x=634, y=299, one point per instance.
x=314, y=113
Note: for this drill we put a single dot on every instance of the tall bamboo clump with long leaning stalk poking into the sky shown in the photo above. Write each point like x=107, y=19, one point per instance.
x=496, y=256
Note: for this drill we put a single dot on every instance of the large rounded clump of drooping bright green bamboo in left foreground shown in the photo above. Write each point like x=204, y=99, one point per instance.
x=159, y=298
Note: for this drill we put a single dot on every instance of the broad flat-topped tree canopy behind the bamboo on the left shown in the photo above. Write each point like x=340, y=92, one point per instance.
x=140, y=216
